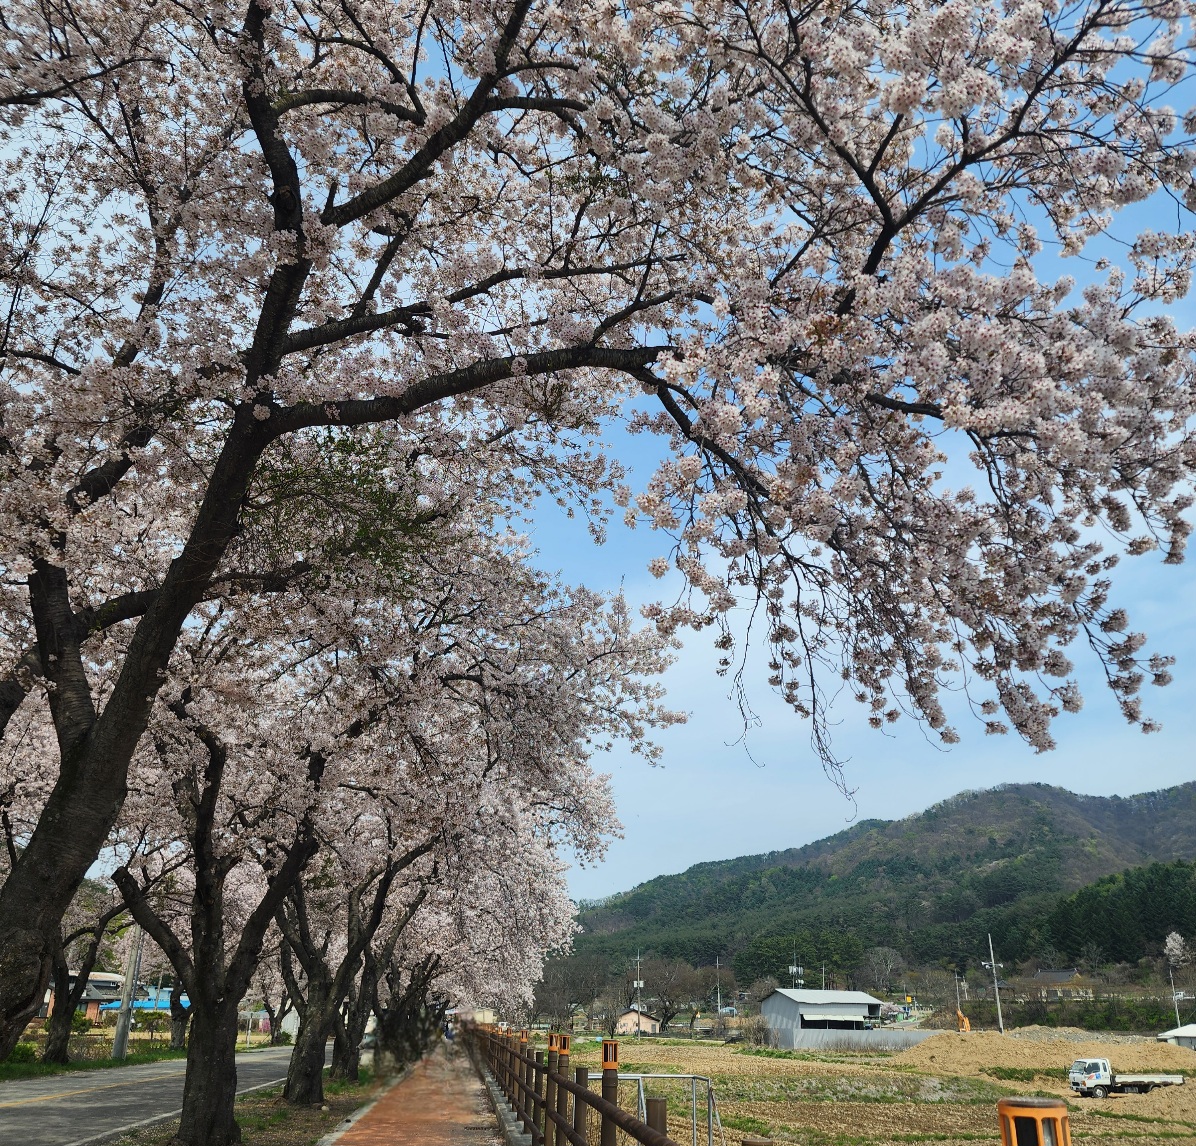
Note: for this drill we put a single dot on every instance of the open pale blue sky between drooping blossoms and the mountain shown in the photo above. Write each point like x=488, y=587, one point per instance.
x=718, y=796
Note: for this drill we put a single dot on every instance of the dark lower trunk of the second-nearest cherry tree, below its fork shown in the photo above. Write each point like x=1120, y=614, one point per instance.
x=210, y=1094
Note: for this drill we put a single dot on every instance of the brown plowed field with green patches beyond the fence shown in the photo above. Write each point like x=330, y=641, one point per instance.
x=944, y=1090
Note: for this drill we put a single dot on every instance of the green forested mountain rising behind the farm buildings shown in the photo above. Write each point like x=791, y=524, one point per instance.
x=931, y=886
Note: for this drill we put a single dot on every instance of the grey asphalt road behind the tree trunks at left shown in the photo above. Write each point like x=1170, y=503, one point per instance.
x=87, y=1107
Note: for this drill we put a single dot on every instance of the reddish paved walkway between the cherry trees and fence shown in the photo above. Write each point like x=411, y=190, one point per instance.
x=442, y=1104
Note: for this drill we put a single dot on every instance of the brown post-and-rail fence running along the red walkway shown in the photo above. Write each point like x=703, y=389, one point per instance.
x=539, y=1089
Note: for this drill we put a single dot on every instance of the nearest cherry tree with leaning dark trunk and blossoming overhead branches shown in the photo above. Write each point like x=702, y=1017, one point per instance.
x=803, y=245
